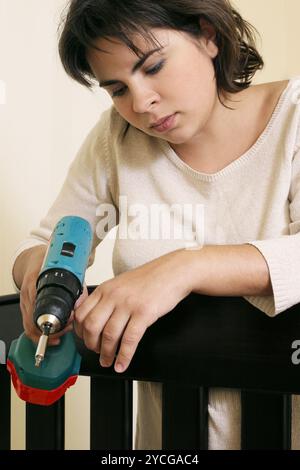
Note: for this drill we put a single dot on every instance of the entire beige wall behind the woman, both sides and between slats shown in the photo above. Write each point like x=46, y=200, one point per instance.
x=45, y=117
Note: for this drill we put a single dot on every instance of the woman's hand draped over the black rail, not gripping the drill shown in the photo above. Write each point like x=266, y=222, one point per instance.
x=121, y=309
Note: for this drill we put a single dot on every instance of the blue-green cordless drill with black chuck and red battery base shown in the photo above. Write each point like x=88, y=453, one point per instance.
x=41, y=376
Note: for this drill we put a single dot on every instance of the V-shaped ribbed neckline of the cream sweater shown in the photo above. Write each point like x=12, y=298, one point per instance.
x=211, y=177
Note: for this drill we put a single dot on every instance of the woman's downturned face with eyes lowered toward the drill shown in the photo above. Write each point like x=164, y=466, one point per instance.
x=175, y=82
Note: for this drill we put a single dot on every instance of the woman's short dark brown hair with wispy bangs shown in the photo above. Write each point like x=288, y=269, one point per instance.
x=87, y=20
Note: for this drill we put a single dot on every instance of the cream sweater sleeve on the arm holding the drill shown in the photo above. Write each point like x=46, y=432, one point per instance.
x=85, y=189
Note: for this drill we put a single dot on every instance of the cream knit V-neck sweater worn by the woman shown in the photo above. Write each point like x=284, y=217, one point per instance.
x=256, y=199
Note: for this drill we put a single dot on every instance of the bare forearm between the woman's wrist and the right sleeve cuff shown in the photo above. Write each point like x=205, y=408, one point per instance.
x=229, y=270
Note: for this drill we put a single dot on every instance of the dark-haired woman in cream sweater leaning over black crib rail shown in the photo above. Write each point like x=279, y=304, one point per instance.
x=186, y=129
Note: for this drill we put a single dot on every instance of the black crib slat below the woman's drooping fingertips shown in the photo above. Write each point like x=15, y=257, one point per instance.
x=111, y=414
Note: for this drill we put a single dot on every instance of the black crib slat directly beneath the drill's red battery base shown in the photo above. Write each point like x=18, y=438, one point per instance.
x=45, y=426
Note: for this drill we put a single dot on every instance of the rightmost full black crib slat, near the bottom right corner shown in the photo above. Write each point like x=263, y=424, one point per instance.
x=266, y=421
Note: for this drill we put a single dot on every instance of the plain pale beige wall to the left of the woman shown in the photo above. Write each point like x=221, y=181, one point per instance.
x=44, y=120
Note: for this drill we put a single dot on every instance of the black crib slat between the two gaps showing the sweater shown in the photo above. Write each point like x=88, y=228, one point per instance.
x=184, y=417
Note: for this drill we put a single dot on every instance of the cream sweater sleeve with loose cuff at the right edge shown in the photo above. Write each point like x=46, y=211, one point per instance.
x=283, y=254
